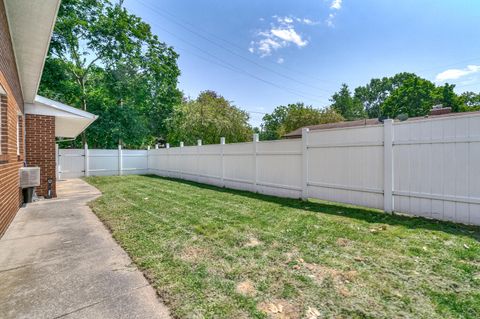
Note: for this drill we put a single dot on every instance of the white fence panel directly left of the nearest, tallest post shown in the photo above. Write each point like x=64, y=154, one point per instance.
x=346, y=165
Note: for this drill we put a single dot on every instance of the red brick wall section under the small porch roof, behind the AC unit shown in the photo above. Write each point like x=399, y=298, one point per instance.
x=40, y=145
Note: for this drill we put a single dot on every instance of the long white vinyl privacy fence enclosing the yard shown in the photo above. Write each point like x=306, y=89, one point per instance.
x=426, y=167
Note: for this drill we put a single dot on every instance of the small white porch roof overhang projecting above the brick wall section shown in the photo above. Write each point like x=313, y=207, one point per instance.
x=69, y=121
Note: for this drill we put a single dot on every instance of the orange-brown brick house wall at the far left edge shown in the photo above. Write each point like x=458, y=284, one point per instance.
x=11, y=111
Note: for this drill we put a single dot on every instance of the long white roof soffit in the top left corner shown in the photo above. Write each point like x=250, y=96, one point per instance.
x=31, y=24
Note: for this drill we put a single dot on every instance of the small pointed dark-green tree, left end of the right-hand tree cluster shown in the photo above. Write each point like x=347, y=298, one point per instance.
x=347, y=105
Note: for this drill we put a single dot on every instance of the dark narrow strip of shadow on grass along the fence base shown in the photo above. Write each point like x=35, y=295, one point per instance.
x=360, y=213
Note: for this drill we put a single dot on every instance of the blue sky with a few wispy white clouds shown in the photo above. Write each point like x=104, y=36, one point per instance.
x=261, y=54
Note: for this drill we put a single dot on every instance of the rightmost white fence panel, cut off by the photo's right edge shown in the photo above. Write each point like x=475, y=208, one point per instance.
x=437, y=171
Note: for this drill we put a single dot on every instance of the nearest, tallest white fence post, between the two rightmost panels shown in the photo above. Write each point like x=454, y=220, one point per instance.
x=388, y=166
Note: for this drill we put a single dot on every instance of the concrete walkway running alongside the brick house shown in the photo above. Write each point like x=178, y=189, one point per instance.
x=57, y=260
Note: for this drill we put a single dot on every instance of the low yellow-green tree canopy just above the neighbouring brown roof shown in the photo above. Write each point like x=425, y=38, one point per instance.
x=285, y=119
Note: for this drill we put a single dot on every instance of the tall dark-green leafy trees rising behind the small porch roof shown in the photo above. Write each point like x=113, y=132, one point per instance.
x=107, y=61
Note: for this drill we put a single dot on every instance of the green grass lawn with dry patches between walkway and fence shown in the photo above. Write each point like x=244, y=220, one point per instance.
x=219, y=253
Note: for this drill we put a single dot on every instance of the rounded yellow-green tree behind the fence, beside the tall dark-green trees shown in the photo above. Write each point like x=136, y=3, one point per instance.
x=209, y=117
